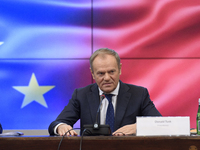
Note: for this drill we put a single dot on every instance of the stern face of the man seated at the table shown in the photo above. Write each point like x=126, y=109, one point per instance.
x=106, y=72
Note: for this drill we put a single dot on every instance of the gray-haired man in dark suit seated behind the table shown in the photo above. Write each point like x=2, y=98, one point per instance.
x=128, y=101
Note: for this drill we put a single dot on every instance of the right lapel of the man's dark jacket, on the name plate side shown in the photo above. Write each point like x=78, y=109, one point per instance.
x=122, y=103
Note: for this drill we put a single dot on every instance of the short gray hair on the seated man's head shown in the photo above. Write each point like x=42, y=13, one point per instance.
x=103, y=51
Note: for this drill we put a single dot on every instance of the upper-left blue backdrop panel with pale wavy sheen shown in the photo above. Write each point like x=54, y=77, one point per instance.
x=45, y=29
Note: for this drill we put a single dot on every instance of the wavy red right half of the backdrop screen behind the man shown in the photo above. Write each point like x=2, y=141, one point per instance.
x=159, y=43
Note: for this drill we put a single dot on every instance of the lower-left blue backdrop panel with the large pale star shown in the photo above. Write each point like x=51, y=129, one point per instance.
x=60, y=76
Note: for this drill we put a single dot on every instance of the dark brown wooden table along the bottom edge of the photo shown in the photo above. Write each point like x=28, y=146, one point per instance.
x=101, y=143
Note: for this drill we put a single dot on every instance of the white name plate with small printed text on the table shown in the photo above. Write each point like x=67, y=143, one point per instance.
x=157, y=126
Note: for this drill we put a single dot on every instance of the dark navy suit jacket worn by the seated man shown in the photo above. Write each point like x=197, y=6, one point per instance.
x=132, y=101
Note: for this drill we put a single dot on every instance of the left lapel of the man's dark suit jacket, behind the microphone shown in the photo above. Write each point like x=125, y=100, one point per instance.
x=93, y=101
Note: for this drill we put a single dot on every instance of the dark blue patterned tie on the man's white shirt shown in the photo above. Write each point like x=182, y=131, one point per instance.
x=110, y=117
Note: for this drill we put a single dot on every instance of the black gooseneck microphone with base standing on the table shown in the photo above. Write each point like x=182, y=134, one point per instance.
x=96, y=128
